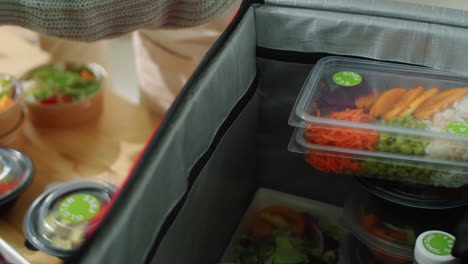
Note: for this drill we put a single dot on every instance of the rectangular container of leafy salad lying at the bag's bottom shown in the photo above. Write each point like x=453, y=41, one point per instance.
x=286, y=229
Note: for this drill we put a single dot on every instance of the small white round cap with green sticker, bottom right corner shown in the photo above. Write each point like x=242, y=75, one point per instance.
x=434, y=247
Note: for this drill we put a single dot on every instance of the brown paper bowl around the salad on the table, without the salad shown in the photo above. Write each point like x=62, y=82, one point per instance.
x=68, y=114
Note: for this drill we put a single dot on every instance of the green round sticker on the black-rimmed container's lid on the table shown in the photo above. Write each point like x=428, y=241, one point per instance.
x=79, y=207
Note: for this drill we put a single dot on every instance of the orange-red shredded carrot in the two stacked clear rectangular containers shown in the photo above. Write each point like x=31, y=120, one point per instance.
x=341, y=137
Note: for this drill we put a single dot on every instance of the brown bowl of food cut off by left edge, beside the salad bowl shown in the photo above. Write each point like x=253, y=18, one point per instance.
x=11, y=105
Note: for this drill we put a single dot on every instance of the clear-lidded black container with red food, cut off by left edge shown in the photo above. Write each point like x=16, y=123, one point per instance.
x=16, y=173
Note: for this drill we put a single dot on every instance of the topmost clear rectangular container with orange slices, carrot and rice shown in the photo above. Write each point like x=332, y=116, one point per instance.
x=389, y=108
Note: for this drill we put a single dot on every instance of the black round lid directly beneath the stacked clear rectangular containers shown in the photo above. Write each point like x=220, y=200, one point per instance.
x=416, y=195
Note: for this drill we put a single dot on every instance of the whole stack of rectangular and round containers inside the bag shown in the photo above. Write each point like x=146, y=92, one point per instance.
x=402, y=131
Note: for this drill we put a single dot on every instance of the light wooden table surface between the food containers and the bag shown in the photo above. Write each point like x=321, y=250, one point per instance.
x=105, y=148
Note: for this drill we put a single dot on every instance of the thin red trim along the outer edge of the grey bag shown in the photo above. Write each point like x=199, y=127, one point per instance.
x=102, y=213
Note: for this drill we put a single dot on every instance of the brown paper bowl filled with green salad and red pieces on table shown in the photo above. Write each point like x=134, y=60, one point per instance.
x=64, y=94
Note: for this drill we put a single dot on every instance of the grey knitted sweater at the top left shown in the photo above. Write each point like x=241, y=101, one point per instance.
x=89, y=20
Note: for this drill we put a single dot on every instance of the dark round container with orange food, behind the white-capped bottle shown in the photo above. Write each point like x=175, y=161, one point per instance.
x=390, y=230
